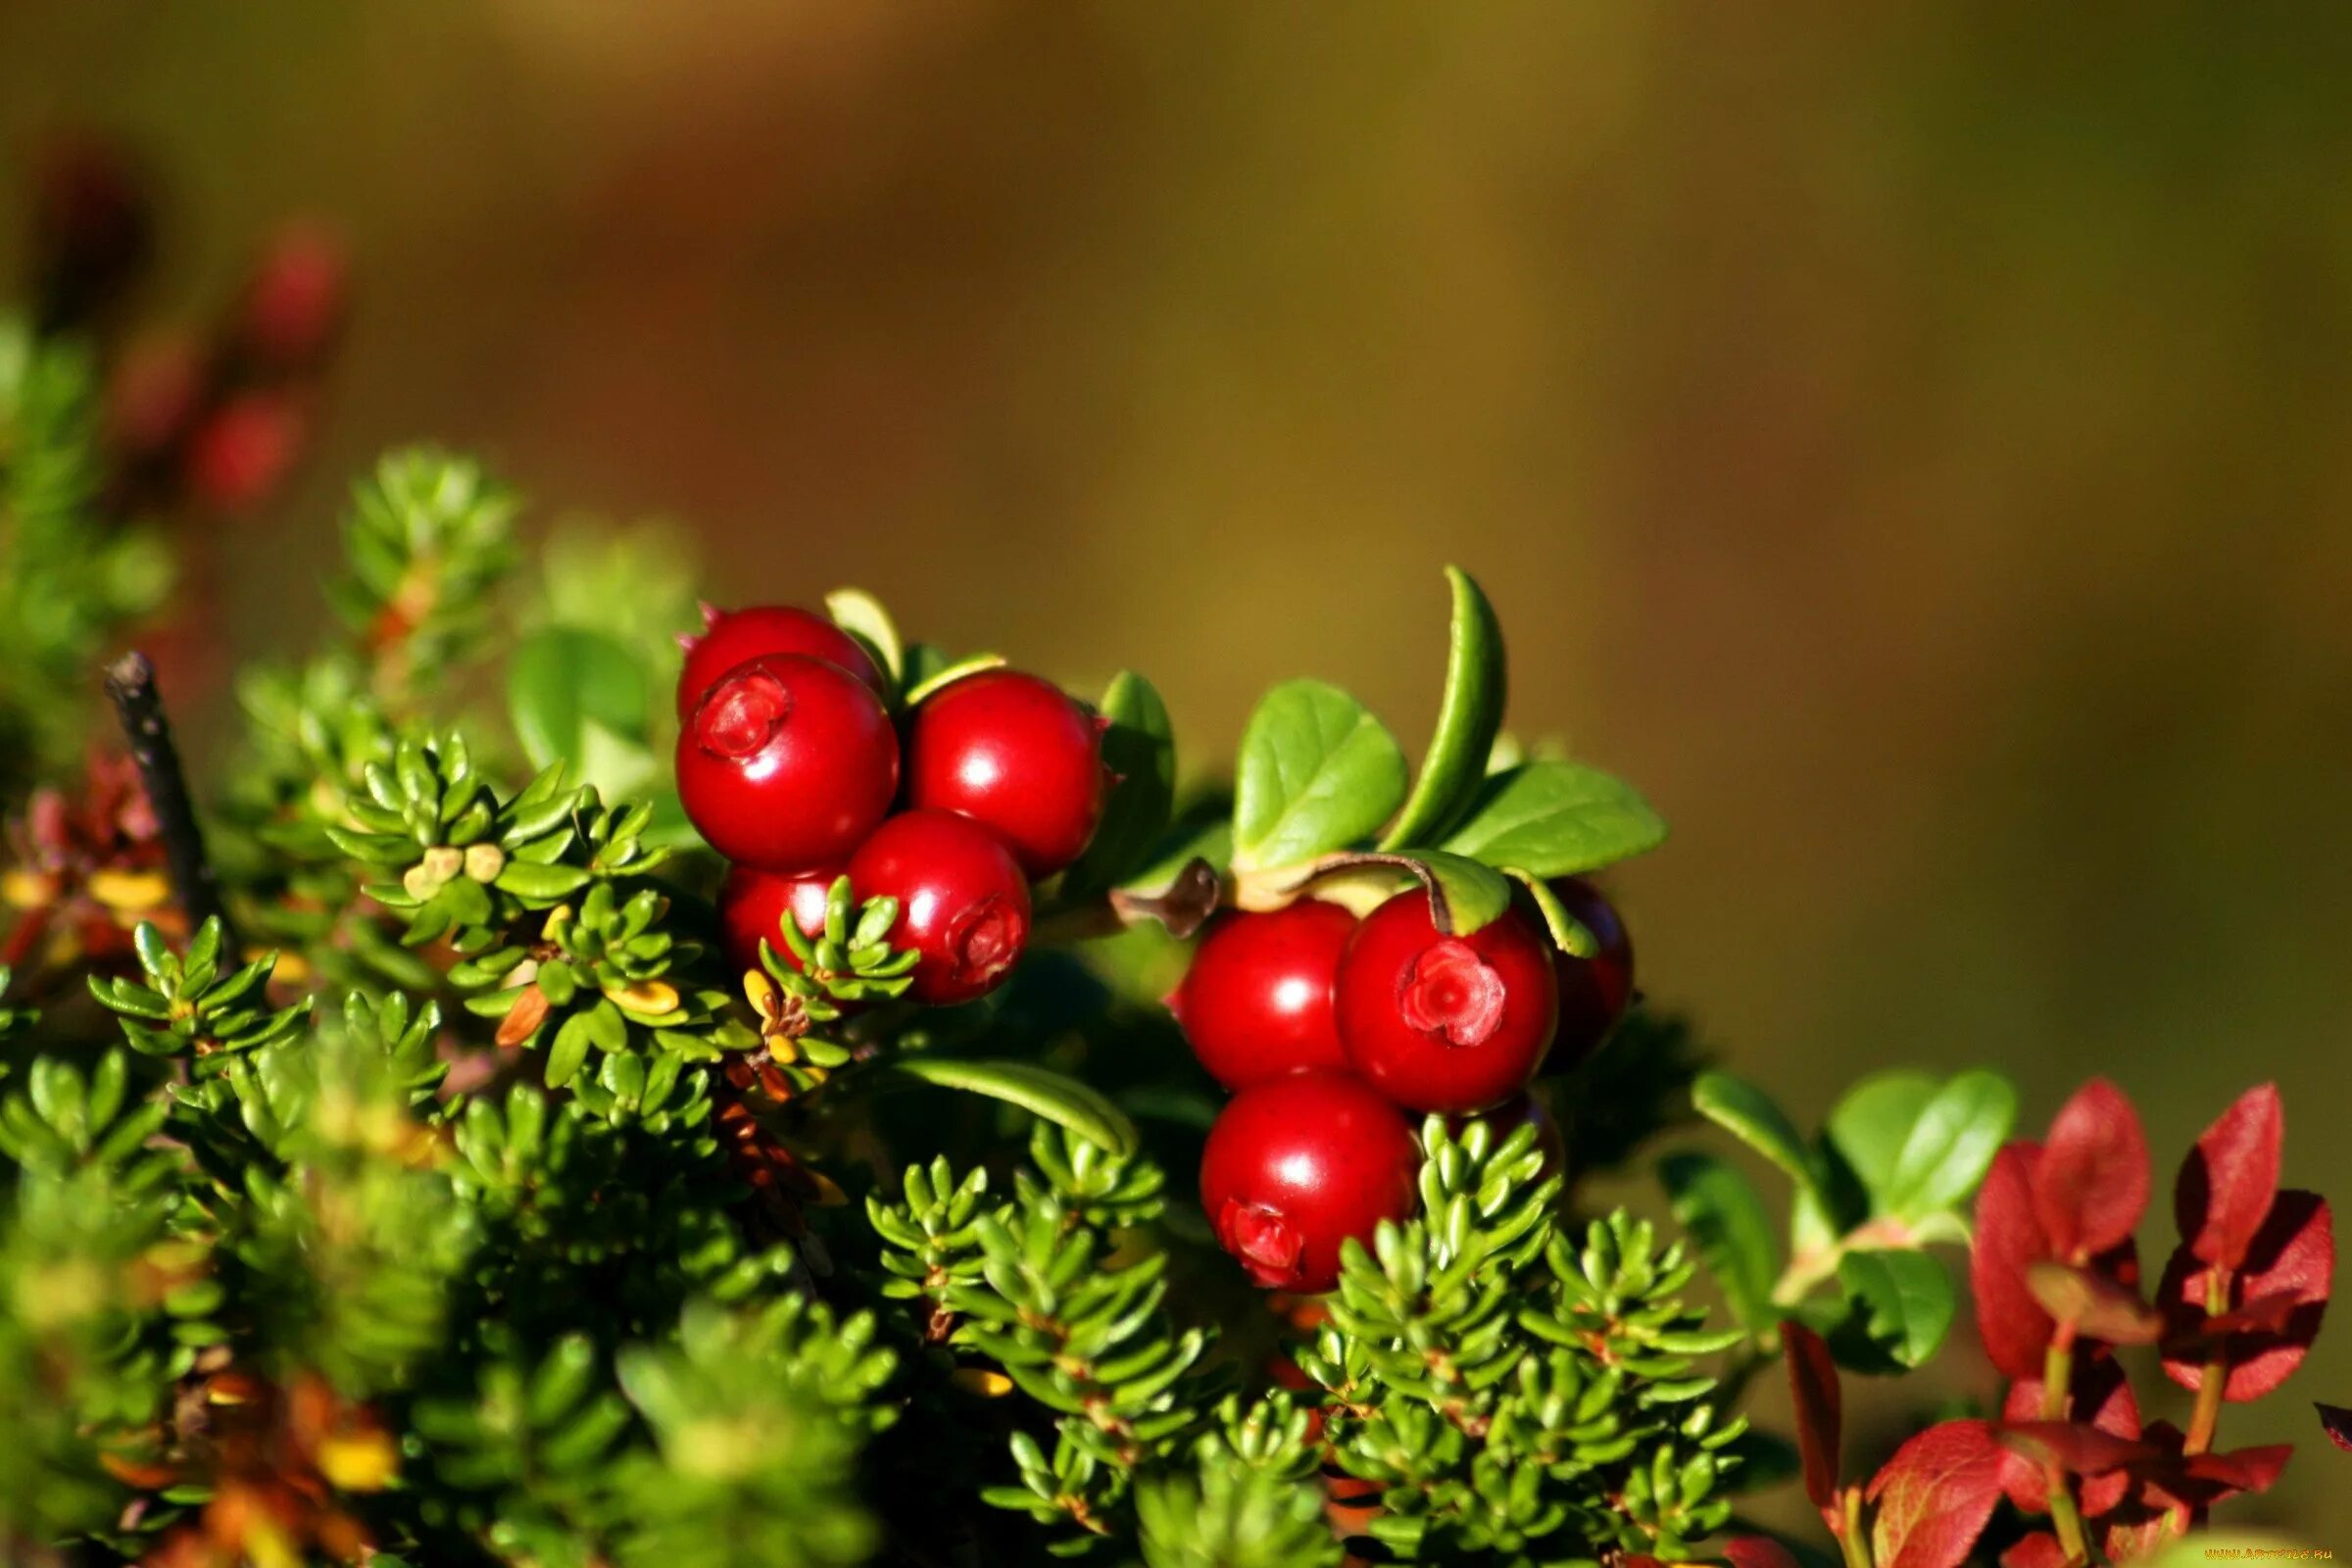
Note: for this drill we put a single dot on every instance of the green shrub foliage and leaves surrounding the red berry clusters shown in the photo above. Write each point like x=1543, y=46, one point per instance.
x=455, y=1202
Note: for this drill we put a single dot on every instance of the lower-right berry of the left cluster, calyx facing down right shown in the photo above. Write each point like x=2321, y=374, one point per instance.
x=963, y=902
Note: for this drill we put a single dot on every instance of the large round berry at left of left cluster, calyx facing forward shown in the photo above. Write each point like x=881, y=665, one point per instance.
x=787, y=763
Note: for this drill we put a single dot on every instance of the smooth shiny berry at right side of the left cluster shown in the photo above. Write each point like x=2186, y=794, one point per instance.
x=1015, y=753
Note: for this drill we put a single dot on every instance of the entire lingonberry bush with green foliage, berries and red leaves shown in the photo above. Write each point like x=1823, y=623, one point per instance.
x=552, y=1101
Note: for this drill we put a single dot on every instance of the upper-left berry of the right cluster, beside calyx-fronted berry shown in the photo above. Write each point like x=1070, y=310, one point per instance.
x=1257, y=1000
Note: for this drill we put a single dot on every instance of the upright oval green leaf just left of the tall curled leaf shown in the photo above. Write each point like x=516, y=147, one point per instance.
x=1316, y=775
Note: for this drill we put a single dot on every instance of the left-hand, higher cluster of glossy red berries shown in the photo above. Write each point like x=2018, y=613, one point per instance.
x=789, y=765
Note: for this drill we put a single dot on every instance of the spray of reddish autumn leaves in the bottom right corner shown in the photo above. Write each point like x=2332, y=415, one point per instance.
x=2057, y=1285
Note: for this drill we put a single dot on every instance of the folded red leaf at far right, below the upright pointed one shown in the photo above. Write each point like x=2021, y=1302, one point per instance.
x=2294, y=1254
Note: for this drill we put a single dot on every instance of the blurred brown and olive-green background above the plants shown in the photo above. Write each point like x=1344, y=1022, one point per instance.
x=1906, y=441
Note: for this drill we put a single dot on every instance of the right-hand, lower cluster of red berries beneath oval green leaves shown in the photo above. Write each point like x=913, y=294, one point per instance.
x=1330, y=1028
